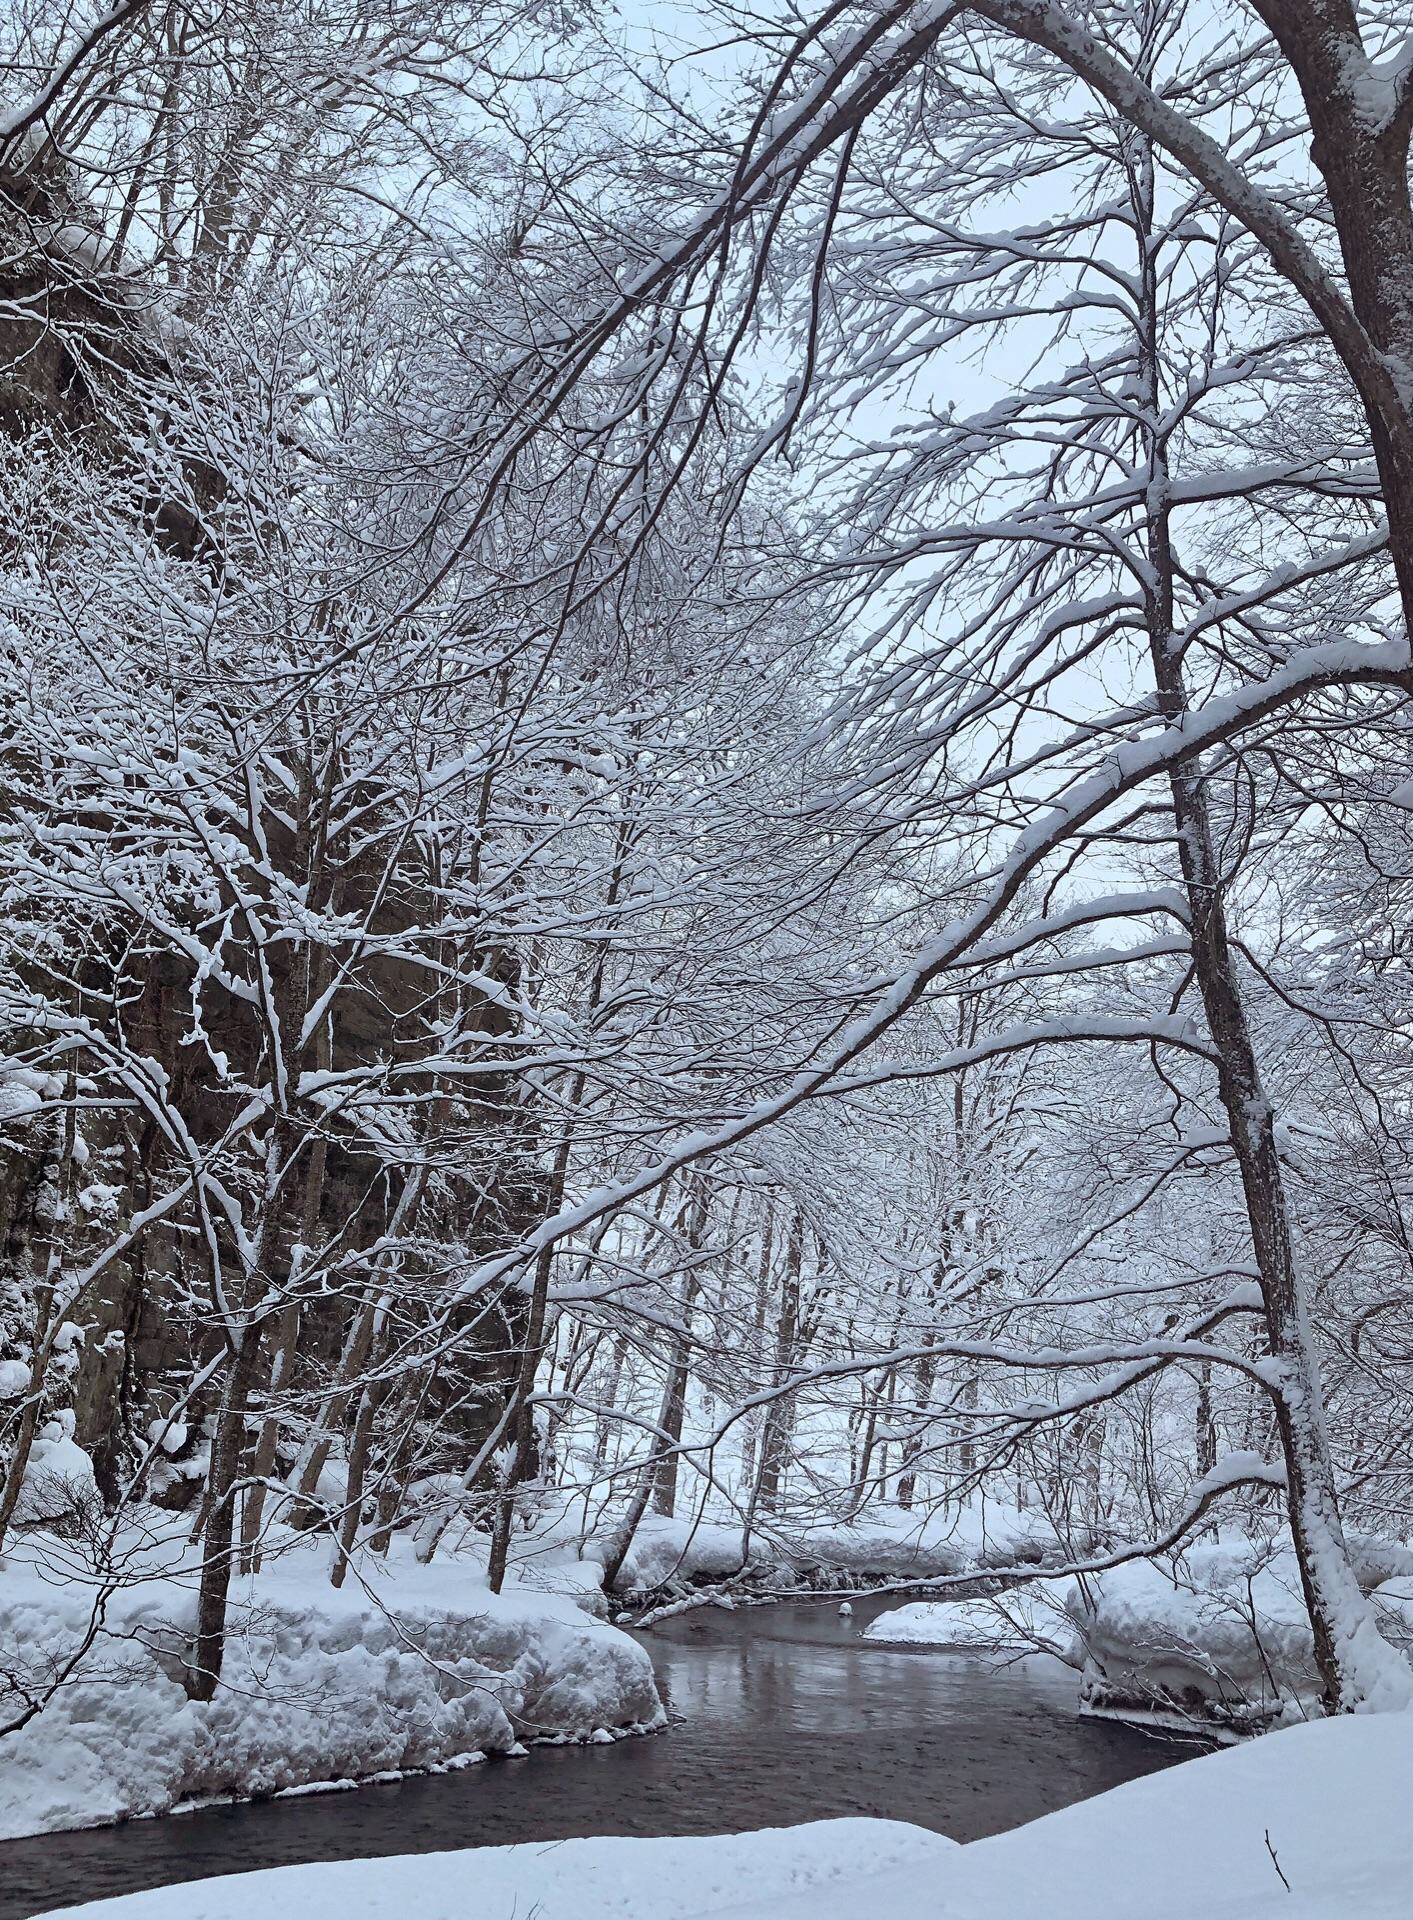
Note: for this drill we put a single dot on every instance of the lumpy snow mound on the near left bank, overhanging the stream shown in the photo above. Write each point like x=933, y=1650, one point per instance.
x=431, y=1669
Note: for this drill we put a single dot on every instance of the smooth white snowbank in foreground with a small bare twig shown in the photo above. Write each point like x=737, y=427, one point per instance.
x=1322, y=1806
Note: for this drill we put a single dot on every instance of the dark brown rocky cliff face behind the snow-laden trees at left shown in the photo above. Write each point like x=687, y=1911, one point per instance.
x=82, y=366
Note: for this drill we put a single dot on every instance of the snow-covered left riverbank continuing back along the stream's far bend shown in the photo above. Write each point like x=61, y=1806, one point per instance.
x=408, y=1668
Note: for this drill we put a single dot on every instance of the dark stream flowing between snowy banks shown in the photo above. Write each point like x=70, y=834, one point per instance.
x=784, y=1716
